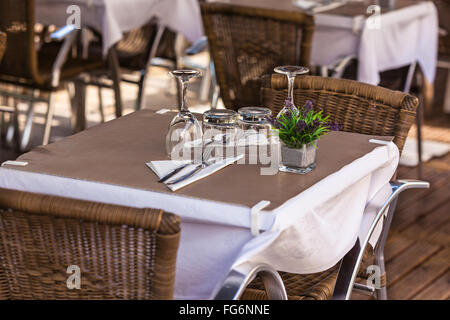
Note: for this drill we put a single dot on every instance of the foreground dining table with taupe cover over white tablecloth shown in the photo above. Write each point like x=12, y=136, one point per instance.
x=308, y=225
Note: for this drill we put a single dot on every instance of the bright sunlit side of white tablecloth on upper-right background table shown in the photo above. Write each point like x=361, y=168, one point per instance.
x=406, y=35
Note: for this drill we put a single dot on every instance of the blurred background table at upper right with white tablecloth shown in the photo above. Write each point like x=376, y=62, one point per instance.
x=407, y=34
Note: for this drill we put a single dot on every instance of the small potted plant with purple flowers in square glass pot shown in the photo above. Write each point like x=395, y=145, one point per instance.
x=299, y=130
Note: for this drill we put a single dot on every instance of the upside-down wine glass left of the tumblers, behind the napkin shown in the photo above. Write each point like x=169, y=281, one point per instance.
x=184, y=128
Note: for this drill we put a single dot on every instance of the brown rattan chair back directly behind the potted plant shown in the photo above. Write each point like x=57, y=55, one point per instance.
x=356, y=106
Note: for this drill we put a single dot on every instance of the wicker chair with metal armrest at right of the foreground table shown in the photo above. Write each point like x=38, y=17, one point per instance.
x=360, y=108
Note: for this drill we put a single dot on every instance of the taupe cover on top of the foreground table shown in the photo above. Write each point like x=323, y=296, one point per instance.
x=116, y=152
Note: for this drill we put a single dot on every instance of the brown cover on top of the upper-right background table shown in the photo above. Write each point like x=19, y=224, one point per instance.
x=351, y=9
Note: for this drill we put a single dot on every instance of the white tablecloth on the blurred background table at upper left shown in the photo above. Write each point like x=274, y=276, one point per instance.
x=114, y=17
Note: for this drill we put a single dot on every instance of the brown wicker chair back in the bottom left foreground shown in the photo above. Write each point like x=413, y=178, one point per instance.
x=122, y=252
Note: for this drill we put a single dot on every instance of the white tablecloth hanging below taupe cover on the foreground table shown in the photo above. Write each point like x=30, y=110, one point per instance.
x=309, y=233
